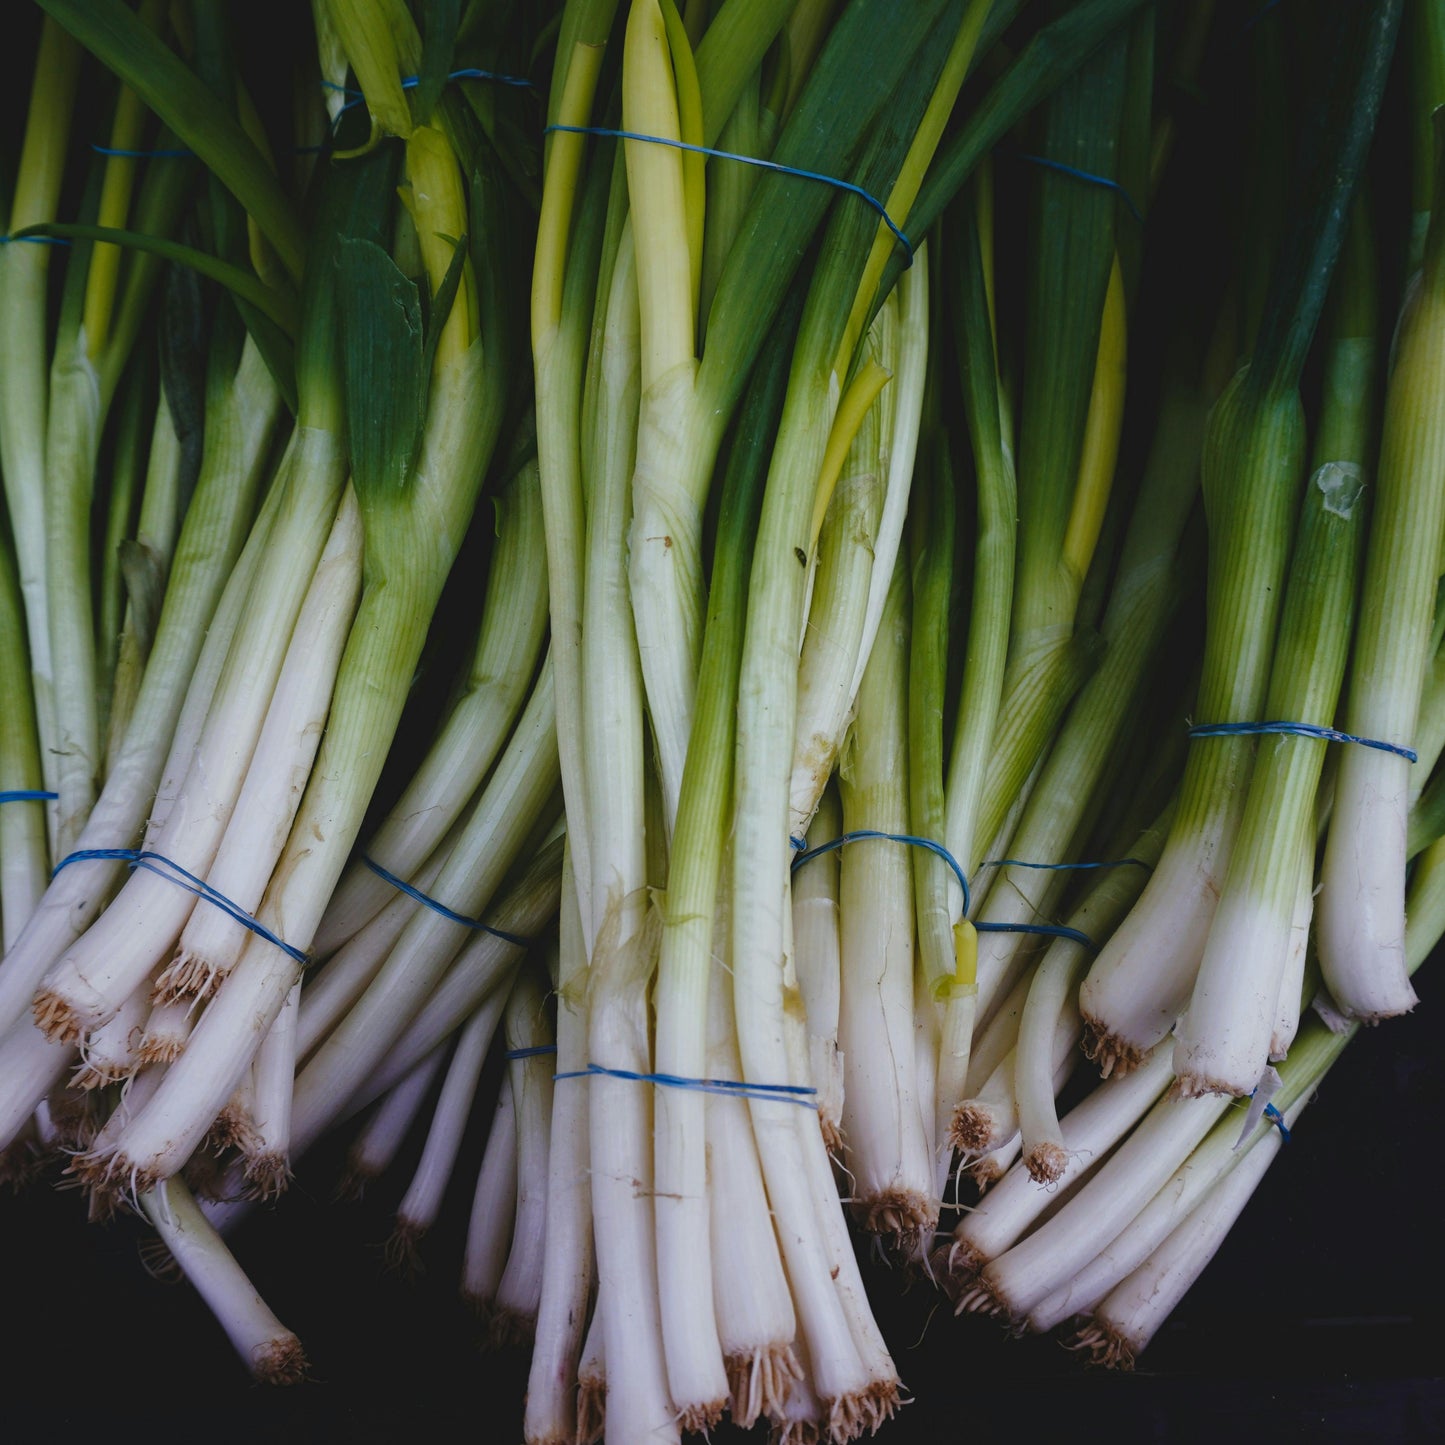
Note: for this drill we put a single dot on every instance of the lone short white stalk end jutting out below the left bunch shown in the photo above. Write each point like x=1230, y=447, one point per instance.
x=271, y=1352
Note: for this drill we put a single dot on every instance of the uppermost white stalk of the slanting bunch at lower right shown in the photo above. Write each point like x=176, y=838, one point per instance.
x=1090, y=1131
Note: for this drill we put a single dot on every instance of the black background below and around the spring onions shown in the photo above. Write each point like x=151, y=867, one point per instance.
x=1317, y=1319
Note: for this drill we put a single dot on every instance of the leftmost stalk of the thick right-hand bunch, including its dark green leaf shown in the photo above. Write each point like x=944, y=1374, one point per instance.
x=1254, y=460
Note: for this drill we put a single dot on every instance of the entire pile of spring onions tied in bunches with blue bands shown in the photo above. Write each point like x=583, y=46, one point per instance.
x=667, y=609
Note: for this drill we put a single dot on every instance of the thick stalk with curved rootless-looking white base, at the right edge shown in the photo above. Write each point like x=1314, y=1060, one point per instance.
x=1360, y=917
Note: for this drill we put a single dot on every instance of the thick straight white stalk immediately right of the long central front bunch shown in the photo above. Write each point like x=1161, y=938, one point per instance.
x=882, y=1110
